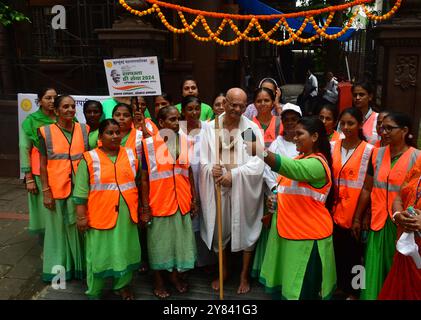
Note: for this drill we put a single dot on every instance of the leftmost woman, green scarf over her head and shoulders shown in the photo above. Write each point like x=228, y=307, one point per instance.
x=30, y=158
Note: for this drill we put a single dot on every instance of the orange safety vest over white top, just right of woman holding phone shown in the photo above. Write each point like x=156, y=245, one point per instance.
x=349, y=180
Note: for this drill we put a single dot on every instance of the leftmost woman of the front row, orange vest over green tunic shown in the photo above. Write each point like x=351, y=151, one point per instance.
x=106, y=198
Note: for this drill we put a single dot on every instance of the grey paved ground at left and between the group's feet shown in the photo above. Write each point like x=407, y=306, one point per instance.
x=21, y=264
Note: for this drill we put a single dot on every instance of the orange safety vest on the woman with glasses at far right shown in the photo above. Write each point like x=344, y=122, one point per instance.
x=387, y=182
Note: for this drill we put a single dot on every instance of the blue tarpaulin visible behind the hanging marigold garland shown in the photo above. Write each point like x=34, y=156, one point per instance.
x=257, y=7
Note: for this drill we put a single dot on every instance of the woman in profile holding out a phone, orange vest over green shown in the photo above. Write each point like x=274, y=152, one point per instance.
x=299, y=262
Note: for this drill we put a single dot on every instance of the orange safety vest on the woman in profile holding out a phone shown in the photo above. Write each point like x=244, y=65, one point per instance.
x=302, y=214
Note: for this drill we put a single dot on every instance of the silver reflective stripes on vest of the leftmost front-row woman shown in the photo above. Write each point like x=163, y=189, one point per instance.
x=98, y=186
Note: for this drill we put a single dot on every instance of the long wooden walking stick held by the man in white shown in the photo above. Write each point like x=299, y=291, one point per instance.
x=219, y=216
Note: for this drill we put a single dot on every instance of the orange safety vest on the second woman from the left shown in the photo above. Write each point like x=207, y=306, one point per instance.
x=63, y=157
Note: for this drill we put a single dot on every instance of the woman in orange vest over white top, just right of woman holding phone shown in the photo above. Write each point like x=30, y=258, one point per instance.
x=351, y=157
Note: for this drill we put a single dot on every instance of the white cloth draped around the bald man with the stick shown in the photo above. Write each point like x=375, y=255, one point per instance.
x=242, y=204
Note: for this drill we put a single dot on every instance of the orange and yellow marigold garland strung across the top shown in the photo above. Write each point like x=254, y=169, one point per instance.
x=228, y=19
